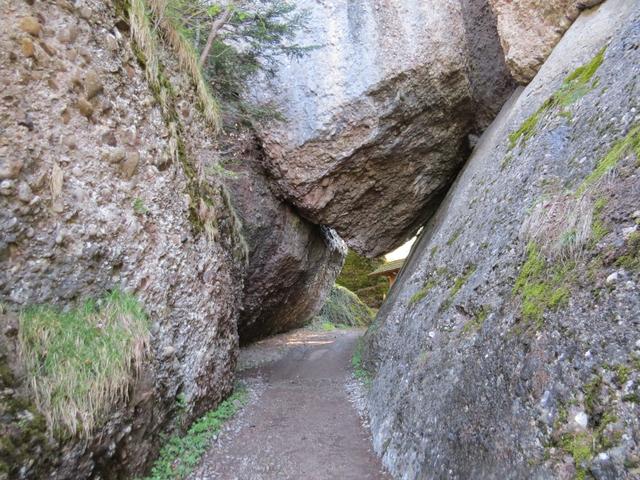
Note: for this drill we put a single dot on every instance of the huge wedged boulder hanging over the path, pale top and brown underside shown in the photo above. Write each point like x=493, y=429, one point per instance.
x=378, y=117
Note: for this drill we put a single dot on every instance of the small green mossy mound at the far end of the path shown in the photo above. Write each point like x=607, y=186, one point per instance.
x=342, y=309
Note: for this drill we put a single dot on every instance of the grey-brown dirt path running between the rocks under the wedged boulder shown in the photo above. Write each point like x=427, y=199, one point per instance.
x=299, y=423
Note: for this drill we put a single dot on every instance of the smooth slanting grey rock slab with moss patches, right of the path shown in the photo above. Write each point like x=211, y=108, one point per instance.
x=509, y=346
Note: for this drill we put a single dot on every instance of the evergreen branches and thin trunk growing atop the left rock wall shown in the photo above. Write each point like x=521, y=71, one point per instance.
x=222, y=46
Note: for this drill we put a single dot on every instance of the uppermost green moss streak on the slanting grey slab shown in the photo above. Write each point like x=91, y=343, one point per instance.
x=574, y=87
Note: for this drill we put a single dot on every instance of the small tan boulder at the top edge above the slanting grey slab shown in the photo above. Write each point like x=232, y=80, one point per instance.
x=530, y=29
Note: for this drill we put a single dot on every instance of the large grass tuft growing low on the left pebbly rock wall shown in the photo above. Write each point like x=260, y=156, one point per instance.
x=80, y=362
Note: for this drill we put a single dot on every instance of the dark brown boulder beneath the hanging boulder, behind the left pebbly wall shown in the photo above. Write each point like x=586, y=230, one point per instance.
x=292, y=263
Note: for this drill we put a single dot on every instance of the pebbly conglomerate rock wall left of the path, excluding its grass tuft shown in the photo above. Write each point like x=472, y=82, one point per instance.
x=90, y=200
